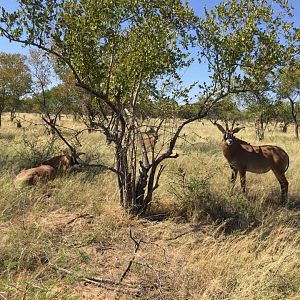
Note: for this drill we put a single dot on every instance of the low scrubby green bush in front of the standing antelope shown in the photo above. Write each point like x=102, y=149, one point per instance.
x=198, y=201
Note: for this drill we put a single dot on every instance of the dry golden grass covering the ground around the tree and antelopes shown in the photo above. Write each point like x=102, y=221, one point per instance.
x=213, y=245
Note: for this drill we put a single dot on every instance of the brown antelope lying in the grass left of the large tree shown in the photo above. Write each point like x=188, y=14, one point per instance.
x=47, y=171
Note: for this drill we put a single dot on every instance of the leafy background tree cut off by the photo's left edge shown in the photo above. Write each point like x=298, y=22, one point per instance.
x=15, y=81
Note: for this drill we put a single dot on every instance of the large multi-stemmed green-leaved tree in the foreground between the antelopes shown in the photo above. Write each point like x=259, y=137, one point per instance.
x=126, y=52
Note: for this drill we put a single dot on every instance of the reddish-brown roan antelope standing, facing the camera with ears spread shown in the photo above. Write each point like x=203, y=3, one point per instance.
x=243, y=157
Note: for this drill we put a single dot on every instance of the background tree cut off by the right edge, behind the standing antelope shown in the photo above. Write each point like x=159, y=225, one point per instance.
x=289, y=88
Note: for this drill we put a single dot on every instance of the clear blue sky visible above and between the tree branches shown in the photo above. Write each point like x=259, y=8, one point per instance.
x=195, y=73
